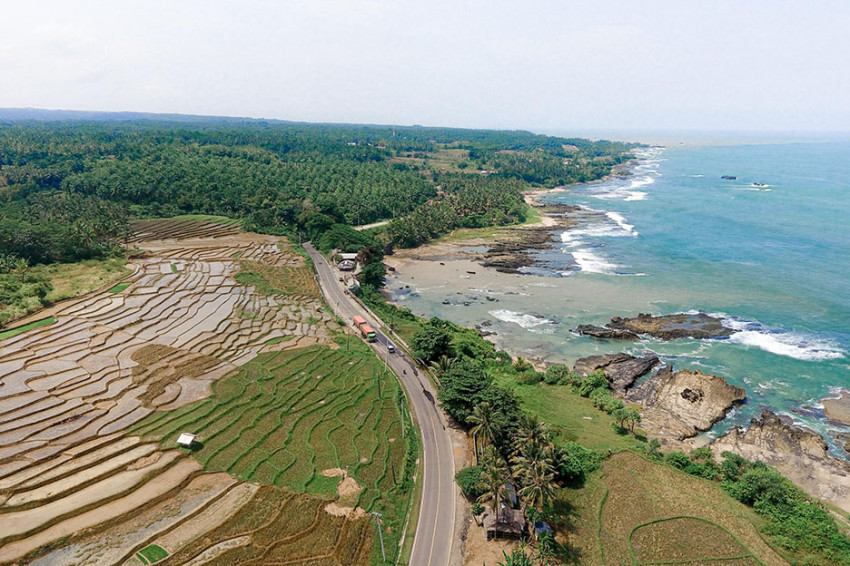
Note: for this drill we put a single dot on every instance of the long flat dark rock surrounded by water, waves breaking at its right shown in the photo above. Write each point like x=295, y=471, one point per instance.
x=672, y=326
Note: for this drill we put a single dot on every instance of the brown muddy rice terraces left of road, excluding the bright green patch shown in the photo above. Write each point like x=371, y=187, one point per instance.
x=77, y=488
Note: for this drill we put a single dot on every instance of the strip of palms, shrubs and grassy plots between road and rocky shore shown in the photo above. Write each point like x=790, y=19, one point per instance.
x=557, y=465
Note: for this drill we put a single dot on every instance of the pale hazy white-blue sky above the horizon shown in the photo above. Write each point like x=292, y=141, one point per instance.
x=549, y=66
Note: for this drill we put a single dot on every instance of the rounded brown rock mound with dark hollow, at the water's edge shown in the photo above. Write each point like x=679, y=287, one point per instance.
x=678, y=405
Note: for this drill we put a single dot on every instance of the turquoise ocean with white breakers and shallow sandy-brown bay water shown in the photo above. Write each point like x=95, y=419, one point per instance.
x=768, y=251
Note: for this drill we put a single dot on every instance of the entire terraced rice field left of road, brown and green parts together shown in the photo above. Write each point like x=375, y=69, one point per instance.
x=79, y=486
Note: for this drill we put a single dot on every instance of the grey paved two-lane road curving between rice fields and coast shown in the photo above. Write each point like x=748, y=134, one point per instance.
x=433, y=541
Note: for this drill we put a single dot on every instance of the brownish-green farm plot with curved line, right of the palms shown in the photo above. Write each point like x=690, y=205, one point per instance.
x=640, y=513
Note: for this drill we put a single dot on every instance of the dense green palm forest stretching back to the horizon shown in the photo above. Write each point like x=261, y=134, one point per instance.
x=68, y=188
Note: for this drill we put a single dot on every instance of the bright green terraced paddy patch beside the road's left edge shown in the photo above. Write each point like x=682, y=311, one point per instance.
x=286, y=417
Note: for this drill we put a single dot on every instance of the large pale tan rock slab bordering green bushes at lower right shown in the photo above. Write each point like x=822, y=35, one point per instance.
x=798, y=453
